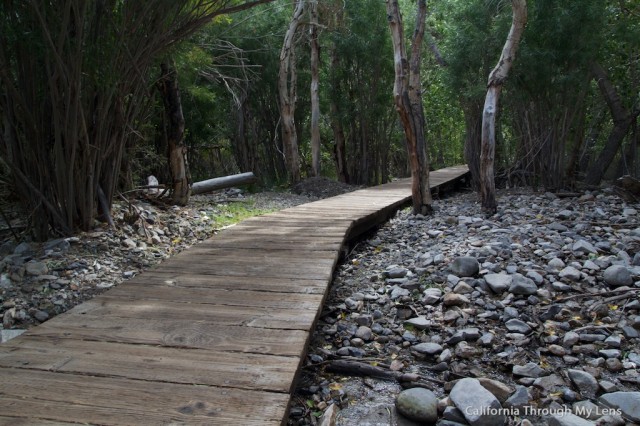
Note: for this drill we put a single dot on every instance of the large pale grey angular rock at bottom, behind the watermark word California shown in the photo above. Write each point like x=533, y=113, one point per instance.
x=476, y=403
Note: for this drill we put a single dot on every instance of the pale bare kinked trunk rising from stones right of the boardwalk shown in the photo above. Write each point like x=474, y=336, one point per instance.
x=496, y=79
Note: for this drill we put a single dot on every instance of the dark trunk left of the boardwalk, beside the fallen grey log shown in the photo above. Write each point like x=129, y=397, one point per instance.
x=174, y=130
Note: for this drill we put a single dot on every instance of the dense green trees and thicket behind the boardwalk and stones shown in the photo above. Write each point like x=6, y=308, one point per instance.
x=86, y=108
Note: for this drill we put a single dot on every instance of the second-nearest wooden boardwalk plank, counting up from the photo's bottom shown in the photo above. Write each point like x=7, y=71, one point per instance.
x=142, y=362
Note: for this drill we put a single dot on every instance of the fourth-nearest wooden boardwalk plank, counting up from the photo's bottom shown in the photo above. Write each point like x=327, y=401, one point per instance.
x=108, y=308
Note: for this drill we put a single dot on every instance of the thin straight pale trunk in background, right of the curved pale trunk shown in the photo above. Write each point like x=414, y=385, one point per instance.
x=315, y=84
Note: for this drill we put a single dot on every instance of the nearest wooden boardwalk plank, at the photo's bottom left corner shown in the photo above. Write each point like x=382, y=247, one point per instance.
x=113, y=401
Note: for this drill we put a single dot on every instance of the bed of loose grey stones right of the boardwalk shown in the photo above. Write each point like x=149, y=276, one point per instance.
x=530, y=316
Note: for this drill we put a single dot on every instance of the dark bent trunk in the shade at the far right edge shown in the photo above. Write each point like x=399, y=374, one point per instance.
x=622, y=120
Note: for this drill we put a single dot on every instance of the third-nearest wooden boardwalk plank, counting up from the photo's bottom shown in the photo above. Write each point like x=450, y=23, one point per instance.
x=176, y=333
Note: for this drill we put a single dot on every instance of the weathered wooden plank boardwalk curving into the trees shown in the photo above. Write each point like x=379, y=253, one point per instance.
x=215, y=335
